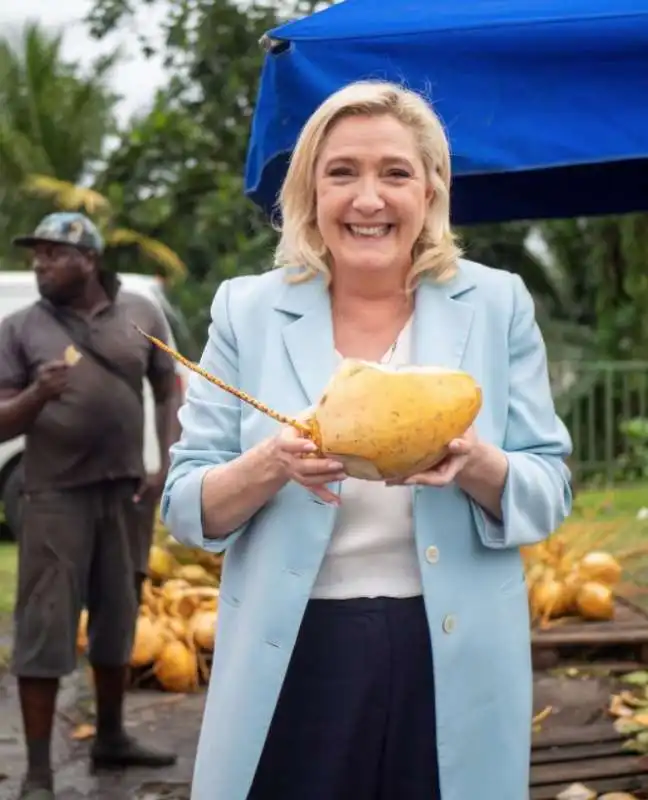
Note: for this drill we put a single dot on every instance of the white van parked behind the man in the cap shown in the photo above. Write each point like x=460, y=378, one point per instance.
x=17, y=290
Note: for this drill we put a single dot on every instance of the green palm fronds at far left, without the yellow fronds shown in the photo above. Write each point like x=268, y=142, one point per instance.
x=54, y=121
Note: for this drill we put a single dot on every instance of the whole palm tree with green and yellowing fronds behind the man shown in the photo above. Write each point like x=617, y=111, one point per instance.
x=54, y=122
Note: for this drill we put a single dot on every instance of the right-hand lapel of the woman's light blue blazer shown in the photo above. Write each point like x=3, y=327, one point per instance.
x=442, y=322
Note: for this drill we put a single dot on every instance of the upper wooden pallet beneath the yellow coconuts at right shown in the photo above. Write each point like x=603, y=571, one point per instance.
x=622, y=641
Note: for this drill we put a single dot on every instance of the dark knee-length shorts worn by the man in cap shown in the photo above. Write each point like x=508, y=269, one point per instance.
x=77, y=547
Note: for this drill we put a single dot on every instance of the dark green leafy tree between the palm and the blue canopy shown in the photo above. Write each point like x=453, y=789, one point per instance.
x=178, y=170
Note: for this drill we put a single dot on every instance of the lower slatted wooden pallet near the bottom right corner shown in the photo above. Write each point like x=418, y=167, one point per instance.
x=591, y=755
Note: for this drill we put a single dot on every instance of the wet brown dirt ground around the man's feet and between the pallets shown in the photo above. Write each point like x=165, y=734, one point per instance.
x=173, y=722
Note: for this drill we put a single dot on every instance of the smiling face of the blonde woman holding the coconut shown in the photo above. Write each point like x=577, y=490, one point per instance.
x=372, y=194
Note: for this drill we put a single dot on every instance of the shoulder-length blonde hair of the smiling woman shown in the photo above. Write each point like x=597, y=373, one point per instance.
x=301, y=247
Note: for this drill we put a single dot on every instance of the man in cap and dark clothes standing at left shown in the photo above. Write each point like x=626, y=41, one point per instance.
x=71, y=372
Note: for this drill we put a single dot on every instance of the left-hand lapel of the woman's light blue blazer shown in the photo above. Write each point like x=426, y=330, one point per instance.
x=308, y=335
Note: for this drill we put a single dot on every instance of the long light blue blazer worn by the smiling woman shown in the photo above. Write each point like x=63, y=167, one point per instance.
x=274, y=340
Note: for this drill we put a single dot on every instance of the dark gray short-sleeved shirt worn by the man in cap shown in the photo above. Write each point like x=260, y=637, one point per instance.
x=94, y=431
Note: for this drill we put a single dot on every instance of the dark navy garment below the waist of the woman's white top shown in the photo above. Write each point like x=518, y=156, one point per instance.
x=355, y=718
